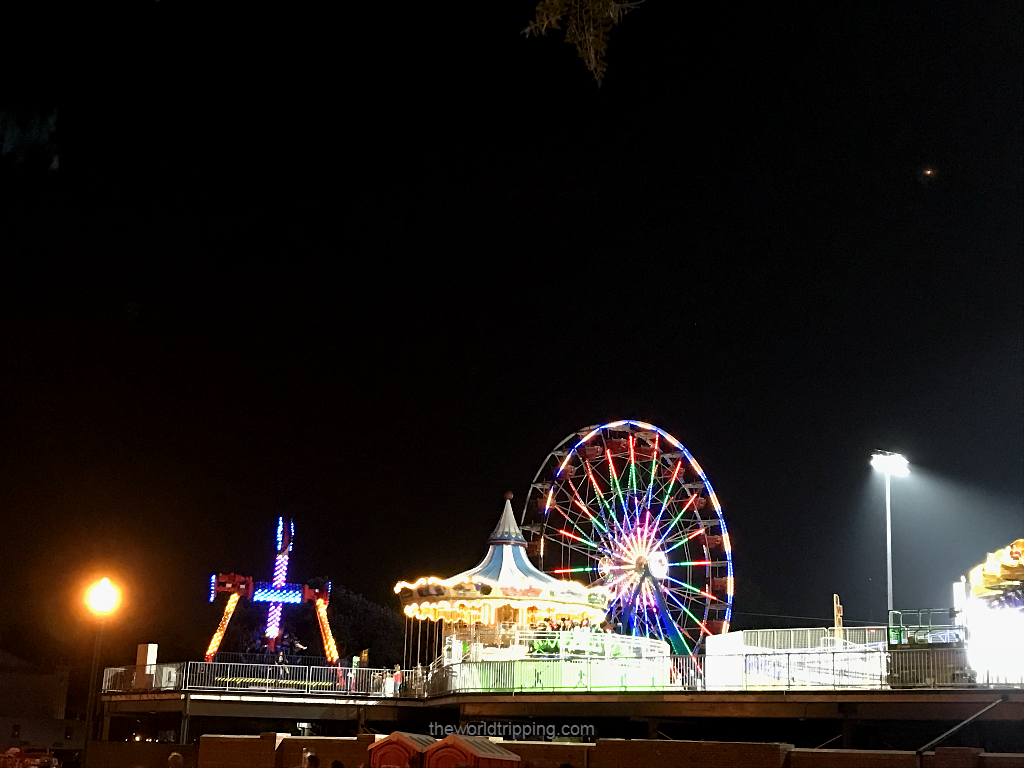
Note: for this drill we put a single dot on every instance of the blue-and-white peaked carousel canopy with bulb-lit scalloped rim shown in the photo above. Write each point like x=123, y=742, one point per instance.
x=505, y=579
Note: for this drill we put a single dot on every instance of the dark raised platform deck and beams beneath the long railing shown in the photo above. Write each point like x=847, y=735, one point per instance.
x=854, y=720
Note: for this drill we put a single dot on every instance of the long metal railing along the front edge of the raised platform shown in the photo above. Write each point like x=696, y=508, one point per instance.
x=869, y=669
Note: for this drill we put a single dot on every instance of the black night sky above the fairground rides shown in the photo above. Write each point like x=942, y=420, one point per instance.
x=369, y=268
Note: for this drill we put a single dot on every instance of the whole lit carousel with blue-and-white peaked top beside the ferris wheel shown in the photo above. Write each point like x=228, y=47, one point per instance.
x=505, y=626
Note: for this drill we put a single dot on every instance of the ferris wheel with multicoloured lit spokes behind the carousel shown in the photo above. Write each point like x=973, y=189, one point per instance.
x=627, y=506
